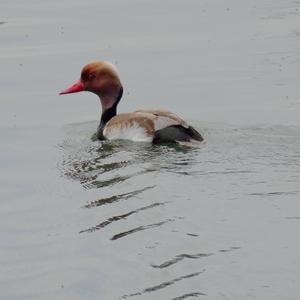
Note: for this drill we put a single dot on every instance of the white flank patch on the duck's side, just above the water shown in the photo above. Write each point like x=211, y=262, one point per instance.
x=134, y=133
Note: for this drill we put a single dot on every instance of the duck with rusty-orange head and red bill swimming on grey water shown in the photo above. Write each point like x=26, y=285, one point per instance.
x=146, y=125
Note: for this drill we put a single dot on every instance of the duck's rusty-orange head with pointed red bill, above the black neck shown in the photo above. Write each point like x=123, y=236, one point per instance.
x=100, y=78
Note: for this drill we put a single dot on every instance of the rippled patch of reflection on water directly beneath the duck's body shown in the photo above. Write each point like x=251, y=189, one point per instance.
x=105, y=164
